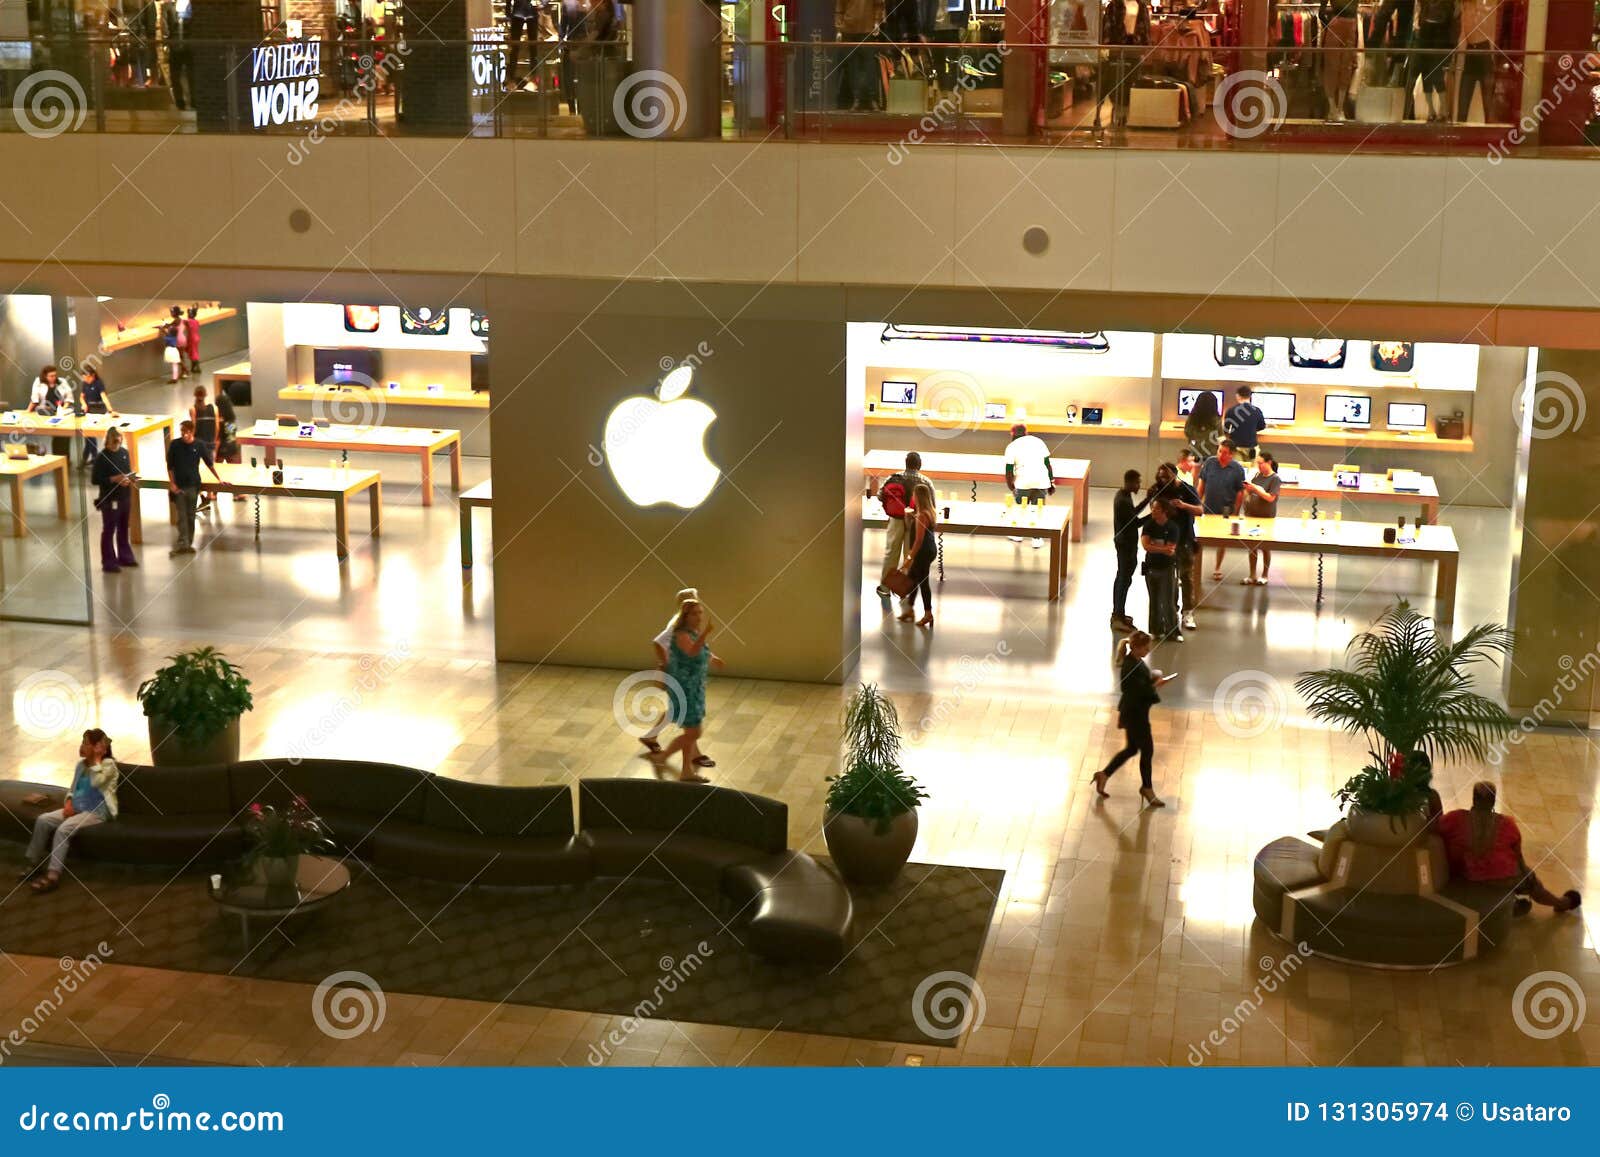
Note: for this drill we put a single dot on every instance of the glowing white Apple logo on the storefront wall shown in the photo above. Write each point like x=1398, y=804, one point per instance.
x=657, y=449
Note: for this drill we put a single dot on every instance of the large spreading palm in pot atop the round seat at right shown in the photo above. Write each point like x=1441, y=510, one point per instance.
x=1410, y=697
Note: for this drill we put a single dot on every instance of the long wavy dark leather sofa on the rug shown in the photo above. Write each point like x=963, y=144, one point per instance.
x=711, y=839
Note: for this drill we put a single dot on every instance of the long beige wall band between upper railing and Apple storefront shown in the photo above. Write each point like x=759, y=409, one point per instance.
x=1286, y=226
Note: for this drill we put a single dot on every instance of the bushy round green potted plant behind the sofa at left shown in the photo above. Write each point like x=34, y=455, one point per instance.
x=193, y=707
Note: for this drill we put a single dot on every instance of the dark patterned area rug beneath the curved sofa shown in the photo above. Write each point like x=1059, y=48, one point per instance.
x=606, y=948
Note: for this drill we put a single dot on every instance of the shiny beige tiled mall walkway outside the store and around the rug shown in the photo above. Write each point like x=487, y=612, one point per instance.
x=1124, y=937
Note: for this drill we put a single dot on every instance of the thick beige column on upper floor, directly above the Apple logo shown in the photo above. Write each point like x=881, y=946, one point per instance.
x=682, y=41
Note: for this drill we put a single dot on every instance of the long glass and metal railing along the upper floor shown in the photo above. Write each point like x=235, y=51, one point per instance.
x=1412, y=97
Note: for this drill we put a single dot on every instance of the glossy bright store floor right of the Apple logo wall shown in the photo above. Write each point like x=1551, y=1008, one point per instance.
x=994, y=627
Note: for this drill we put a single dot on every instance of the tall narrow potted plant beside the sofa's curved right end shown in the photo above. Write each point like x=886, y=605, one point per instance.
x=870, y=820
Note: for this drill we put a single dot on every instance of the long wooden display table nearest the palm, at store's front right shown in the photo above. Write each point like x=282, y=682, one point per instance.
x=1358, y=540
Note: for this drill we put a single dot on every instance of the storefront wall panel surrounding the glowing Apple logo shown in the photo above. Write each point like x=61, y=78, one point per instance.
x=586, y=578
